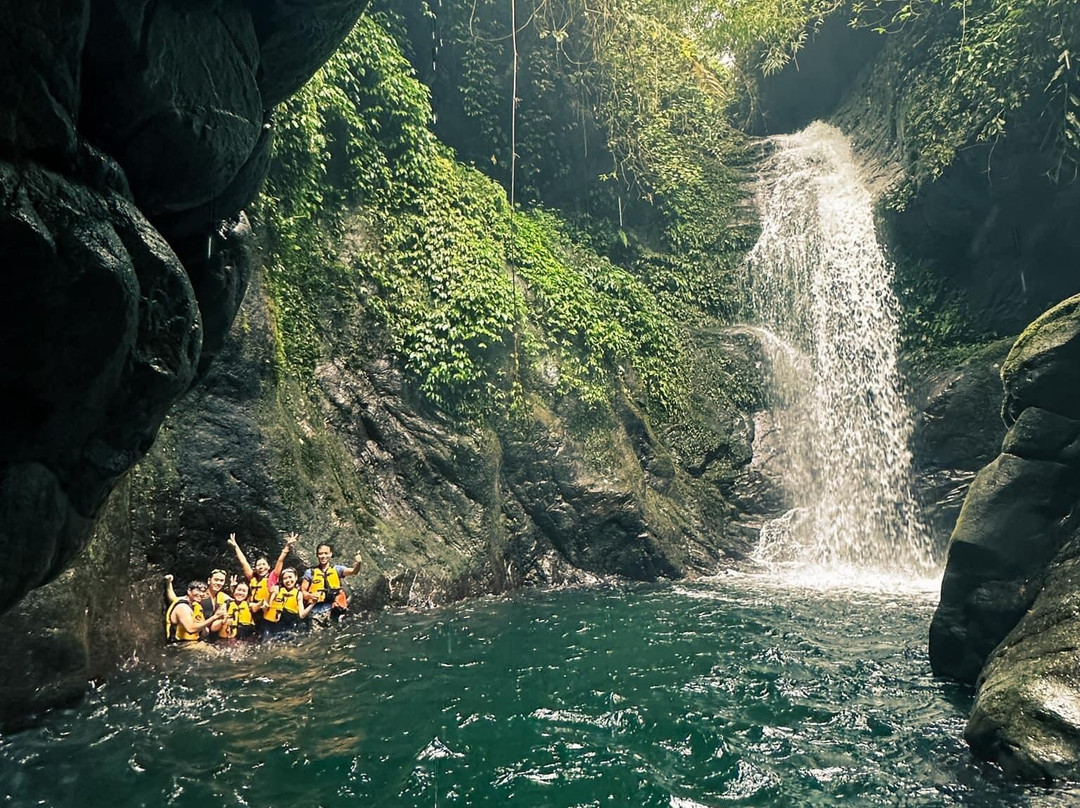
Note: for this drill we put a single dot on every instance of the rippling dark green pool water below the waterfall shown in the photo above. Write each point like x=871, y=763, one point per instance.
x=739, y=691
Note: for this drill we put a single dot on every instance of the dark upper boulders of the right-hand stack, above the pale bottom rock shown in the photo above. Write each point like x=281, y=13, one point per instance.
x=1020, y=513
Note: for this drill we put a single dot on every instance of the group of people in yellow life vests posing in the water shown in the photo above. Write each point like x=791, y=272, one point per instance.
x=264, y=603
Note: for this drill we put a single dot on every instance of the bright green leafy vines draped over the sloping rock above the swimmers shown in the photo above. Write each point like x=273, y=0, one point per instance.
x=474, y=302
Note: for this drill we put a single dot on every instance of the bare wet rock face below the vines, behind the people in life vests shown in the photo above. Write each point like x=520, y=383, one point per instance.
x=440, y=508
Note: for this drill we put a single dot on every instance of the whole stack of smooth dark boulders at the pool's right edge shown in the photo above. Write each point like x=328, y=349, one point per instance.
x=1012, y=561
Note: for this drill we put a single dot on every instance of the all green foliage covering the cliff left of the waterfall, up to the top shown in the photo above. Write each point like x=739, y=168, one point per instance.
x=634, y=230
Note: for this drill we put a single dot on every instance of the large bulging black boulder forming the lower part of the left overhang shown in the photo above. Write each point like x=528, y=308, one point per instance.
x=102, y=334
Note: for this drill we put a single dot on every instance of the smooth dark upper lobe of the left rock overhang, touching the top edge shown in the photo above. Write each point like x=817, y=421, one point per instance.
x=169, y=90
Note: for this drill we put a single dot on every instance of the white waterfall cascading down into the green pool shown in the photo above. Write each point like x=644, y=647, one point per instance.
x=821, y=286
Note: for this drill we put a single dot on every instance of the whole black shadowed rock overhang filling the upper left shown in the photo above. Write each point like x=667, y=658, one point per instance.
x=132, y=133
